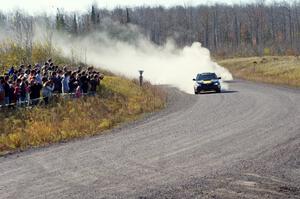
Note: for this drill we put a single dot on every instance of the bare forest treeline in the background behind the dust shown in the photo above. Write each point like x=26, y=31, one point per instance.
x=243, y=30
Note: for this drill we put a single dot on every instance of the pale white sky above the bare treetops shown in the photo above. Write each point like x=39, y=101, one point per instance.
x=33, y=6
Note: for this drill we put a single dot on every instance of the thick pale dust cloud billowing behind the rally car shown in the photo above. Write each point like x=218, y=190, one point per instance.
x=124, y=50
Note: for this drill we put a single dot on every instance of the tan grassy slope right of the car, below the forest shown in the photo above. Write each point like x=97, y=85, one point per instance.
x=283, y=70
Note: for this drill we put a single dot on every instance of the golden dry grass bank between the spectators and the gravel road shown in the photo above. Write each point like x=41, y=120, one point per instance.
x=120, y=100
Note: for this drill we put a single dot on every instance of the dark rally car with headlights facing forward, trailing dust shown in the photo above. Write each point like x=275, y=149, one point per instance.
x=207, y=82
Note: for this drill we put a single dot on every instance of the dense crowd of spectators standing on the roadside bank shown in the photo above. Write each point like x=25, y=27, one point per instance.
x=29, y=85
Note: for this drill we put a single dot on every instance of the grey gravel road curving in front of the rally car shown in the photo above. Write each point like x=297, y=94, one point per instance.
x=243, y=143
